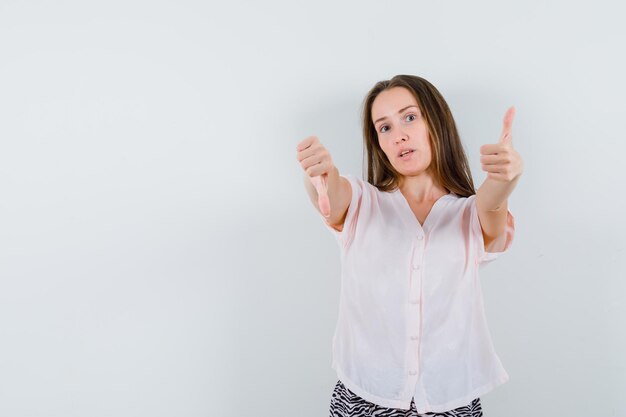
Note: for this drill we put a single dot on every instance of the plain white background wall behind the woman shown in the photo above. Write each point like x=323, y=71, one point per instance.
x=160, y=257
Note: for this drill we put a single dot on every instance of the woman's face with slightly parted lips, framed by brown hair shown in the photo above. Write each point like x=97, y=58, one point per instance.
x=402, y=127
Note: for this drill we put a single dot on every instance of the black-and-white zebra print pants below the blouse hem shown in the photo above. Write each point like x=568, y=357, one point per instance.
x=345, y=403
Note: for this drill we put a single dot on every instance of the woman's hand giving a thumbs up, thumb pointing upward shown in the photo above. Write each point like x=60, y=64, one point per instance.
x=501, y=161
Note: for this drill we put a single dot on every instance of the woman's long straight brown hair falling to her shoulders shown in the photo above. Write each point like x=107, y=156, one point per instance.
x=449, y=166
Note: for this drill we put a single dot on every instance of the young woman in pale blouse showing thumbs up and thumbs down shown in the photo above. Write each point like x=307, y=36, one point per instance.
x=411, y=336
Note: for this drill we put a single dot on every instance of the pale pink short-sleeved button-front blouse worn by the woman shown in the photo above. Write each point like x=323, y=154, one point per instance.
x=411, y=322
